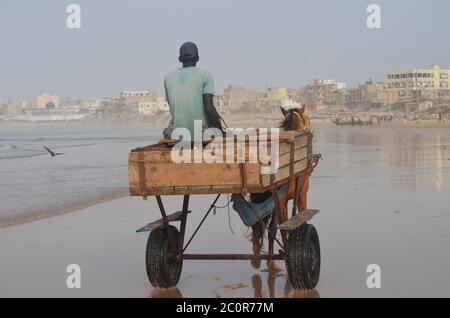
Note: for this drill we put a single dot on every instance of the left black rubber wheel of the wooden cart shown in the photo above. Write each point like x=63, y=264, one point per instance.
x=162, y=271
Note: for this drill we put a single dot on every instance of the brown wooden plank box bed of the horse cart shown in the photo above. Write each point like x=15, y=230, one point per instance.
x=152, y=171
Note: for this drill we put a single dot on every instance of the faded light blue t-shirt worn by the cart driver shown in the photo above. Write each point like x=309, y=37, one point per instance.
x=185, y=88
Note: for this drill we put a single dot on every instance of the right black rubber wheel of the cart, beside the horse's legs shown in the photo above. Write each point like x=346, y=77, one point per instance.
x=303, y=257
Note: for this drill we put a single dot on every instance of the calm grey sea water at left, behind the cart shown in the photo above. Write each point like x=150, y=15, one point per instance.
x=92, y=169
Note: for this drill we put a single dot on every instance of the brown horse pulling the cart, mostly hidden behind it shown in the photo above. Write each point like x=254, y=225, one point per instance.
x=294, y=119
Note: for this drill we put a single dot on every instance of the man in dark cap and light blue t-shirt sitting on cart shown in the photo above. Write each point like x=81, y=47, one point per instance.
x=190, y=93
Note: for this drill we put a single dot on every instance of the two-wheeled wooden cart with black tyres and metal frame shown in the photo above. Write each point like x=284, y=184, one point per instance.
x=152, y=172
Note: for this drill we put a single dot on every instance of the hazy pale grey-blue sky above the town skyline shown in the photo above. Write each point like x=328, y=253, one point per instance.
x=133, y=44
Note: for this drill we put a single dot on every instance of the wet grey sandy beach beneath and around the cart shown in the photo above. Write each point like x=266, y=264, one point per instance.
x=383, y=196
